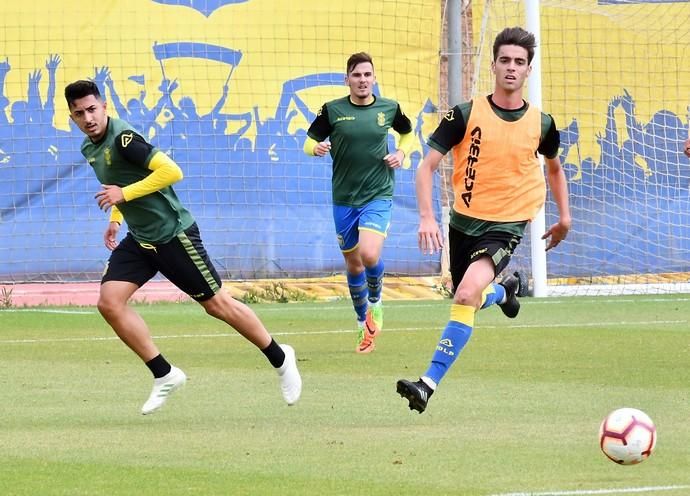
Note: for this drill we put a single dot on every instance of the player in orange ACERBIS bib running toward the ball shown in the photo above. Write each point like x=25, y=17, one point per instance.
x=499, y=187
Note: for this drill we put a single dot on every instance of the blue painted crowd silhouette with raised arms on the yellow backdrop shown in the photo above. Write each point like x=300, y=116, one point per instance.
x=262, y=199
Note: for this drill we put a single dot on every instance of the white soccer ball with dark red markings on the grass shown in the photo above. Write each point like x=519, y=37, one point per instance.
x=627, y=436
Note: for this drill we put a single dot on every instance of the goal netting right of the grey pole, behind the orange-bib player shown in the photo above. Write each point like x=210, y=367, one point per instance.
x=616, y=78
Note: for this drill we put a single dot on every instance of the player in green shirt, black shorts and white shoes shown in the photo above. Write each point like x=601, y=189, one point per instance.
x=163, y=237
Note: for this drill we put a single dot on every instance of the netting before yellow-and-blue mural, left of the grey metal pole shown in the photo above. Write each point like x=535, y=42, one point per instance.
x=228, y=88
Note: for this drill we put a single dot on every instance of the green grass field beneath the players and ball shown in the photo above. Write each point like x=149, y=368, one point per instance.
x=517, y=414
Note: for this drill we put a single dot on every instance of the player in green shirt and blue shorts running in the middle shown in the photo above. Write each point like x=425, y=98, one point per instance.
x=363, y=180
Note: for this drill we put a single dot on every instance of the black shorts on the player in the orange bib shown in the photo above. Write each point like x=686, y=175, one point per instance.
x=465, y=249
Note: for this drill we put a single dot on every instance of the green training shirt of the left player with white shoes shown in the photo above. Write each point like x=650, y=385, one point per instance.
x=122, y=158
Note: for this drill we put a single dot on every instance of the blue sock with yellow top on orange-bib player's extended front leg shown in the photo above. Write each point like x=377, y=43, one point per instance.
x=453, y=340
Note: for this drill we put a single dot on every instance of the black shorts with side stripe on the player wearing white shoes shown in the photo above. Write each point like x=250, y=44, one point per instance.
x=182, y=260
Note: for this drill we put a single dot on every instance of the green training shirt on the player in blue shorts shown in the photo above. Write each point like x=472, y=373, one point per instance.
x=359, y=141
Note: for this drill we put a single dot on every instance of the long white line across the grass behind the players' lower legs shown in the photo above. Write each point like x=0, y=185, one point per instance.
x=334, y=331
